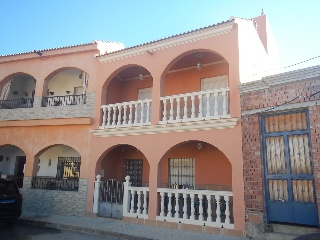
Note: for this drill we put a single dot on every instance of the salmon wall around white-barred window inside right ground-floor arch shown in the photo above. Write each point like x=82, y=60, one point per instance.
x=211, y=165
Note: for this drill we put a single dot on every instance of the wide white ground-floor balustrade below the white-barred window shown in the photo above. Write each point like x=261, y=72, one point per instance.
x=198, y=207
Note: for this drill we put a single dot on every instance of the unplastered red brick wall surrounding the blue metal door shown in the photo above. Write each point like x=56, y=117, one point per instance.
x=290, y=96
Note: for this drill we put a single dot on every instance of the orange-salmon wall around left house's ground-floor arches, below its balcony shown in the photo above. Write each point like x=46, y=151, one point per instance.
x=37, y=138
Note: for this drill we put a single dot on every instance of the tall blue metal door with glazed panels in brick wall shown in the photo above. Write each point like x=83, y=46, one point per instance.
x=289, y=179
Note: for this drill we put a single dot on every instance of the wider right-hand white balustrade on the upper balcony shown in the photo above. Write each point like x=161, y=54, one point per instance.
x=203, y=105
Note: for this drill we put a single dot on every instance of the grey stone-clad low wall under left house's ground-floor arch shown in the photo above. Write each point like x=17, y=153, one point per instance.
x=55, y=201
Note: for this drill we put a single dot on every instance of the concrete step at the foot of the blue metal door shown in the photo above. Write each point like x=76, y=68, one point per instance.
x=293, y=229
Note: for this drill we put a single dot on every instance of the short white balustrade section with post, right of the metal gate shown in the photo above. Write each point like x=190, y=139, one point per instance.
x=135, y=200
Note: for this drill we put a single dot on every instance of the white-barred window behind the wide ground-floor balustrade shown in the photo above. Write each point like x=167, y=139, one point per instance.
x=182, y=173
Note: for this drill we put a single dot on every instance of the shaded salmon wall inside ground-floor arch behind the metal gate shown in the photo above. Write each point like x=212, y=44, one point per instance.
x=113, y=163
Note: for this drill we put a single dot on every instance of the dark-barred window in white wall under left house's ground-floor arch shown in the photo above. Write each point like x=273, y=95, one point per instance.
x=68, y=167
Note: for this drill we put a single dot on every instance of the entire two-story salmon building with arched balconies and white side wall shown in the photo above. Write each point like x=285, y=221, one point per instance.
x=75, y=121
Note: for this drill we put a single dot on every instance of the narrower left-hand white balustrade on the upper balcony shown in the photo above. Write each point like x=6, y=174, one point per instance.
x=126, y=114
